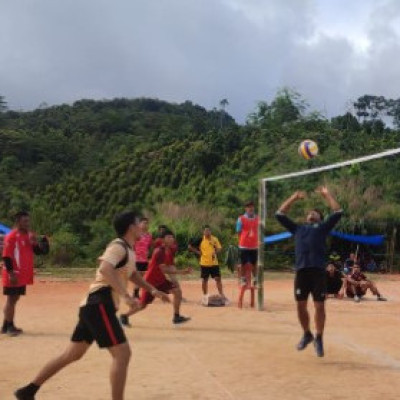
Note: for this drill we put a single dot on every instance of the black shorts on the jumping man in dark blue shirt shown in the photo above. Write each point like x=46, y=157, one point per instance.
x=310, y=280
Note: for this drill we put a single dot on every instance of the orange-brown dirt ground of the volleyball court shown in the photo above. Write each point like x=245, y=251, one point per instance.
x=222, y=354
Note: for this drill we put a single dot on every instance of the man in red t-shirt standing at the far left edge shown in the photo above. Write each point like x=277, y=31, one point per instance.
x=19, y=246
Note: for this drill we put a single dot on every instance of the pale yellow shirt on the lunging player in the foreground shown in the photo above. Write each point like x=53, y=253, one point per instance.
x=114, y=253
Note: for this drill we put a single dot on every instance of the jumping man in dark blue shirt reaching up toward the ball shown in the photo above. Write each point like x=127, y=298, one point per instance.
x=310, y=249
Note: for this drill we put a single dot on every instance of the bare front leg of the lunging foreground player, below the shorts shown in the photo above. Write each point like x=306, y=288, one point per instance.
x=121, y=355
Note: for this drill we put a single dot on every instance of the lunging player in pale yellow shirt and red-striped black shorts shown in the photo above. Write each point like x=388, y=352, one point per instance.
x=97, y=314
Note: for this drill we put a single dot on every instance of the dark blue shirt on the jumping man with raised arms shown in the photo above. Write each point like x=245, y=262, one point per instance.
x=310, y=239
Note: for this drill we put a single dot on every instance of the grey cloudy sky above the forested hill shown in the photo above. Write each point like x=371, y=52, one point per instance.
x=331, y=51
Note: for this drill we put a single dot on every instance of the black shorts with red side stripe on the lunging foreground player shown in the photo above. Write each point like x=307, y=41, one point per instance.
x=99, y=322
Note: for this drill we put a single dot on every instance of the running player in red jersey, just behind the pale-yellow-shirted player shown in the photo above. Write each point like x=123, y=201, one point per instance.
x=161, y=263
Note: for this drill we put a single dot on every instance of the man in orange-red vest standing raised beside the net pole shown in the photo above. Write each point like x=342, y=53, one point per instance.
x=247, y=230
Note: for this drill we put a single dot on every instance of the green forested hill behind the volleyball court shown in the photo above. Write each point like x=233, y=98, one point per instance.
x=75, y=166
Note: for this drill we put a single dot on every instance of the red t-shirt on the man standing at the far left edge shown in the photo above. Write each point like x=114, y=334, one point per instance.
x=19, y=247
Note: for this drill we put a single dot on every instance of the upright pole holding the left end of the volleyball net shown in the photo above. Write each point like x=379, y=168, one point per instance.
x=262, y=202
